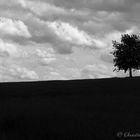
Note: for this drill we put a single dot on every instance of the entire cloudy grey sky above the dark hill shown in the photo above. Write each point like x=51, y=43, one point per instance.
x=62, y=39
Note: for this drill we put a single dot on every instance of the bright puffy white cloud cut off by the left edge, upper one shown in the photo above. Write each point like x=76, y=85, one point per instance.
x=13, y=27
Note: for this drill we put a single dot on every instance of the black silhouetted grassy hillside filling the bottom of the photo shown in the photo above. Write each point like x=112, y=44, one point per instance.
x=69, y=110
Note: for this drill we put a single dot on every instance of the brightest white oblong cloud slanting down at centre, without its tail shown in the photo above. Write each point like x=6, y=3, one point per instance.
x=70, y=33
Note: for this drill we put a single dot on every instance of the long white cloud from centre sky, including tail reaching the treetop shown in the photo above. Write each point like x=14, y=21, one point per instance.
x=67, y=32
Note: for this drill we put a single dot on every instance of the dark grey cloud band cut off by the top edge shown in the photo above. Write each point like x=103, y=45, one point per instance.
x=102, y=5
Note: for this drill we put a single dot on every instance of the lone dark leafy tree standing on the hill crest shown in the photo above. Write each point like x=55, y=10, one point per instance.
x=127, y=53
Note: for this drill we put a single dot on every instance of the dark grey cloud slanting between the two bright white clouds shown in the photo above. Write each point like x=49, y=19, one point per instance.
x=42, y=34
